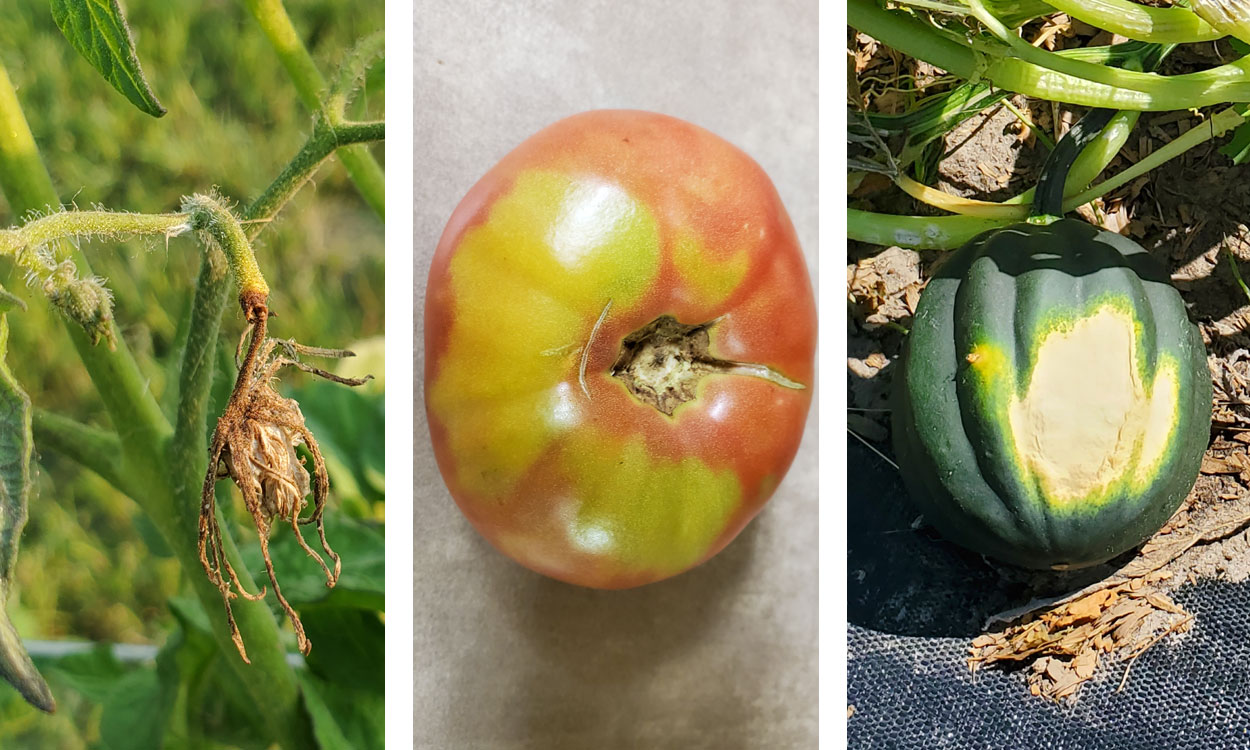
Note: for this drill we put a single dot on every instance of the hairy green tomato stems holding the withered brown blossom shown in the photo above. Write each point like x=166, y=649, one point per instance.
x=143, y=431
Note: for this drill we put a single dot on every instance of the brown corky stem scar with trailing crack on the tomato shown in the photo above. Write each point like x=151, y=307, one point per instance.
x=663, y=363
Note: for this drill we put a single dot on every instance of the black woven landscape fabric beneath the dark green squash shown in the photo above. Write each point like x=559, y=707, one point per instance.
x=916, y=603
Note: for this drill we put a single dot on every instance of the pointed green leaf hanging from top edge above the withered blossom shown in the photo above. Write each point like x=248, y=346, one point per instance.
x=98, y=31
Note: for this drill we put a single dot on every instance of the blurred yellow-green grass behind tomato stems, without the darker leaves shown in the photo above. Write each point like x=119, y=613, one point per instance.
x=91, y=564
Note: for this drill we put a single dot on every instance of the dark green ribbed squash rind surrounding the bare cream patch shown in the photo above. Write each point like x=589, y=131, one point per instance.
x=962, y=471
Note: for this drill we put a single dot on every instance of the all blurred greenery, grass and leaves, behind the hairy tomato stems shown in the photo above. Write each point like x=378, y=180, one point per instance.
x=96, y=568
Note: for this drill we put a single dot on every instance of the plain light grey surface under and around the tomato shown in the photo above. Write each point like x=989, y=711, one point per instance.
x=723, y=657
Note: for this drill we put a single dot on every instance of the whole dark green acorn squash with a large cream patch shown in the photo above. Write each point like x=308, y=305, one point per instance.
x=1053, y=402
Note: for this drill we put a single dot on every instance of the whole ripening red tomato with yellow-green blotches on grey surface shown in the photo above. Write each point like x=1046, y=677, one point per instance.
x=619, y=336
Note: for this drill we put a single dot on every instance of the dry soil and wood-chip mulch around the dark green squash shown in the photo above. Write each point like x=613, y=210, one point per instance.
x=1189, y=214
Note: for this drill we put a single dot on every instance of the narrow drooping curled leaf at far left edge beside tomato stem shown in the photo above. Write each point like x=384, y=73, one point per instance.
x=16, y=454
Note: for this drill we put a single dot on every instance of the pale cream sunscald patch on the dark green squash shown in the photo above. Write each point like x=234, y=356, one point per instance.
x=1087, y=421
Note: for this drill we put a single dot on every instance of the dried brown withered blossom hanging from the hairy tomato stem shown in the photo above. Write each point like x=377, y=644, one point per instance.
x=256, y=446
